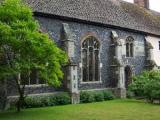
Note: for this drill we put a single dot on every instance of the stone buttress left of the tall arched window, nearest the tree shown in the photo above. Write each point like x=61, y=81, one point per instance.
x=71, y=78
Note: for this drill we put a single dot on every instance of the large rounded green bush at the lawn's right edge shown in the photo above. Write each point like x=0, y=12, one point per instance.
x=147, y=85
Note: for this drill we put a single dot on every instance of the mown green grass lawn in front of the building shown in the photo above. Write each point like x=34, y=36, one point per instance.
x=109, y=110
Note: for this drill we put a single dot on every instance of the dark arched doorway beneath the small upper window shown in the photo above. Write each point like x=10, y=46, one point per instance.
x=128, y=75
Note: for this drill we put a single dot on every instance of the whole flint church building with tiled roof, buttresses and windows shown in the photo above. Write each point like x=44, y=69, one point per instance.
x=107, y=42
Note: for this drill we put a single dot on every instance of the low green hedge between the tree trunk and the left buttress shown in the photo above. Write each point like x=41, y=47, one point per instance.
x=47, y=100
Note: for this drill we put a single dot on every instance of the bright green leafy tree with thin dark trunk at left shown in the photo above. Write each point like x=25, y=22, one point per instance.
x=24, y=48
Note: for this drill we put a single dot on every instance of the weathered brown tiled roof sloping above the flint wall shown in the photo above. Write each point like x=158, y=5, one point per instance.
x=108, y=12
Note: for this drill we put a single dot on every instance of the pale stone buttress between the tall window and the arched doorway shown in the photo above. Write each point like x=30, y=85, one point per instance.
x=118, y=66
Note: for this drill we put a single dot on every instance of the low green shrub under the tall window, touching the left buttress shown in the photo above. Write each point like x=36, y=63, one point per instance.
x=86, y=97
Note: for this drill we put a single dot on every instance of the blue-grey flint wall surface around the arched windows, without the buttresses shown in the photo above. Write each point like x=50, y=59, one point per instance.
x=53, y=27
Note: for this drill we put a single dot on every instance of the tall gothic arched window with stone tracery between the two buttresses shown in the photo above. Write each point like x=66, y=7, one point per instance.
x=90, y=59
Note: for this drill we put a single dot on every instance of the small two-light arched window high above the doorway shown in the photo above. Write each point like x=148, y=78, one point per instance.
x=129, y=47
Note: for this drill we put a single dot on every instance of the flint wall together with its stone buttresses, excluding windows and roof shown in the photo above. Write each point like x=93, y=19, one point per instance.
x=69, y=36
